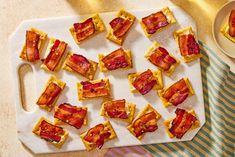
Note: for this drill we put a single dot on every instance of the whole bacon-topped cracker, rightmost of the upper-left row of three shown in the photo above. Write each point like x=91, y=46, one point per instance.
x=81, y=65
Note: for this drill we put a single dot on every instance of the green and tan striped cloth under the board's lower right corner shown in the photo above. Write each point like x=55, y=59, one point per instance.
x=217, y=136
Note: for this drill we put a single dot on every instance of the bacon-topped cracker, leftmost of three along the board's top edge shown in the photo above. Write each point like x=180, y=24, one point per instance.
x=87, y=28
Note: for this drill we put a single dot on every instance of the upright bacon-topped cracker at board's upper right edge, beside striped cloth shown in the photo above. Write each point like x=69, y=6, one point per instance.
x=189, y=48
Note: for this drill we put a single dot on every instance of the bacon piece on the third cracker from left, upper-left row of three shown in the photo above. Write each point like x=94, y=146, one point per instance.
x=79, y=64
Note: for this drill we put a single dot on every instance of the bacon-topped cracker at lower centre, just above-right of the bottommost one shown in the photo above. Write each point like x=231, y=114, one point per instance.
x=118, y=109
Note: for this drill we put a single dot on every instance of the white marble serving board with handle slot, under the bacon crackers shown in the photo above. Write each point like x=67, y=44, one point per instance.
x=138, y=43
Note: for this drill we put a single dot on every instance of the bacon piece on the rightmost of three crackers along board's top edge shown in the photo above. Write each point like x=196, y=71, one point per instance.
x=154, y=22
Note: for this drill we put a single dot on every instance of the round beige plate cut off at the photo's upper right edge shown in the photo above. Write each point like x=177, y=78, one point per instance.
x=221, y=18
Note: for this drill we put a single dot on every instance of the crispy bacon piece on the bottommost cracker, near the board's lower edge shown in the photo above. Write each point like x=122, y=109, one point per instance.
x=97, y=135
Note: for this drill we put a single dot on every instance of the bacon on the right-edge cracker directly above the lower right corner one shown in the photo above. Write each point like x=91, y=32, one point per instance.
x=177, y=93
